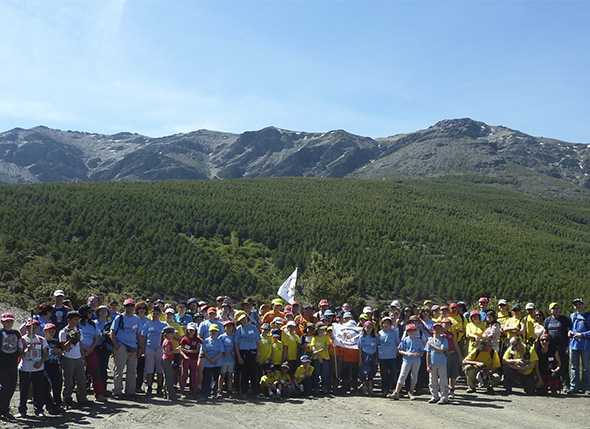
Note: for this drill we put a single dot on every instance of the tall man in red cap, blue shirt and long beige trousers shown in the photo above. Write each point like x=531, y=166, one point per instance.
x=125, y=336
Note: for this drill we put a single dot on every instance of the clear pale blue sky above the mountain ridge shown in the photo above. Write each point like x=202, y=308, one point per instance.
x=372, y=67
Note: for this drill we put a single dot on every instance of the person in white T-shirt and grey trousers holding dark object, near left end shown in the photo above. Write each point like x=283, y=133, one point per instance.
x=72, y=361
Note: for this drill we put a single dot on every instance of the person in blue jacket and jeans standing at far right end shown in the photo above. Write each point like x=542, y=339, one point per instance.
x=579, y=348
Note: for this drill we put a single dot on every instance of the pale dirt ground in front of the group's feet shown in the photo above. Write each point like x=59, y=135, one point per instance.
x=336, y=412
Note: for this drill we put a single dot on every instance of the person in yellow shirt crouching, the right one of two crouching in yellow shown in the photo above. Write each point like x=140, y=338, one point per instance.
x=520, y=361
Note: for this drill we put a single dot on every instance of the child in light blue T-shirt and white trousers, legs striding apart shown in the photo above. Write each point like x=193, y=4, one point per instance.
x=411, y=348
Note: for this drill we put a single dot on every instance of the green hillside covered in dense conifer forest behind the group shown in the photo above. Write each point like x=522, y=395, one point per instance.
x=410, y=239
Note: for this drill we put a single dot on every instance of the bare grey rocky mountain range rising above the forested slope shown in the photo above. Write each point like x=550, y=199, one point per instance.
x=453, y=147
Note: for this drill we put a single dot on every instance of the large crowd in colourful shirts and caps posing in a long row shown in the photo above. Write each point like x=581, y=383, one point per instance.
x=210, y=351
